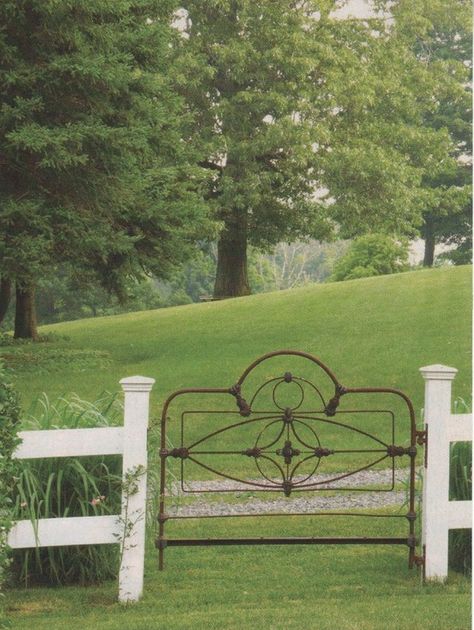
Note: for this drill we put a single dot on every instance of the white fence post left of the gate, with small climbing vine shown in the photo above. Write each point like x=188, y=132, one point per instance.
x=136, y=406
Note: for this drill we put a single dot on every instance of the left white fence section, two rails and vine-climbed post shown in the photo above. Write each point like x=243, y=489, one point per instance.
x=127, y=528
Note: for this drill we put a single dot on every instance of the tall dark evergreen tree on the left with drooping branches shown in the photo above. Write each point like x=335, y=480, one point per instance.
x=95, y=167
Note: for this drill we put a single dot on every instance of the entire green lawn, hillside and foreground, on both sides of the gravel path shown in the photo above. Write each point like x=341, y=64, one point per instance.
x=374, y=332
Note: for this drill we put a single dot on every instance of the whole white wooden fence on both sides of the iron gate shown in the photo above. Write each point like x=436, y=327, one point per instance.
x=128, y=528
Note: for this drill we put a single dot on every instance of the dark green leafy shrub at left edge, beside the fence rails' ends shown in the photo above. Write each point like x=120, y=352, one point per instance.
x=9, y=425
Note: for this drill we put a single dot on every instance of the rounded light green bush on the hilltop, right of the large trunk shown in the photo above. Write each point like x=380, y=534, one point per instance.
x=372, y=255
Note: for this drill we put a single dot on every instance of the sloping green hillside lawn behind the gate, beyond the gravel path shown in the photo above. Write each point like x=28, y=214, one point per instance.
x=374, y=332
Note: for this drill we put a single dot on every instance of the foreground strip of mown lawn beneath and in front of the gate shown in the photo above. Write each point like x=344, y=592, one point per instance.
x=320, y=587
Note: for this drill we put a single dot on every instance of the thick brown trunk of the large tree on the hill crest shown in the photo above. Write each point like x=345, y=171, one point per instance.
x=231, y=276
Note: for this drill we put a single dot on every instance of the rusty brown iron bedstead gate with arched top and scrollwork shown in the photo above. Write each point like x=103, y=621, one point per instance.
x=287, y=439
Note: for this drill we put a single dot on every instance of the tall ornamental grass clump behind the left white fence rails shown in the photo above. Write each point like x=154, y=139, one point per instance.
x=64, y=487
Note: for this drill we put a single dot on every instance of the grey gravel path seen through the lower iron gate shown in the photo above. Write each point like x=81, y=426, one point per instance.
x=296, y=504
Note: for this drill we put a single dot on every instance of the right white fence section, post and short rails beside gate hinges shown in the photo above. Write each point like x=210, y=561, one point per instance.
x=439, y=513
